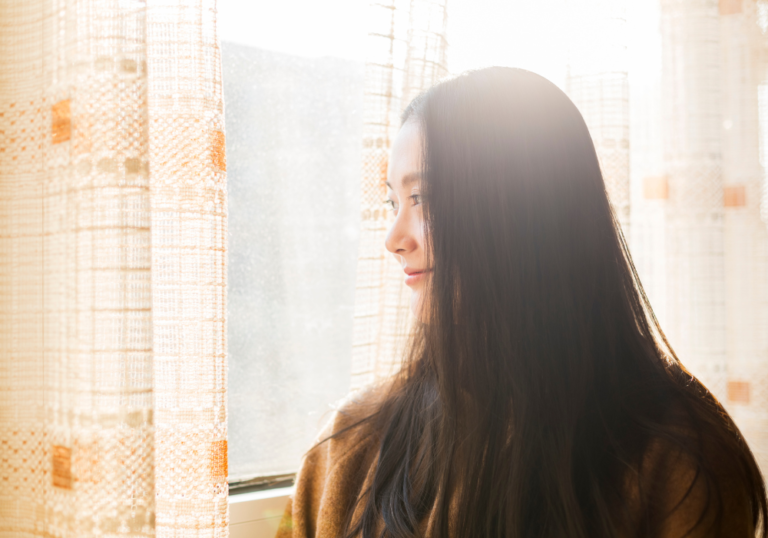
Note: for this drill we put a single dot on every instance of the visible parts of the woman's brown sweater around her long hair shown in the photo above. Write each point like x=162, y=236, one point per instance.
x=334, y=473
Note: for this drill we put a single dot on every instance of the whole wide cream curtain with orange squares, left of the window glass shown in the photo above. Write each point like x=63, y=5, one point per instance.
x=112, y=270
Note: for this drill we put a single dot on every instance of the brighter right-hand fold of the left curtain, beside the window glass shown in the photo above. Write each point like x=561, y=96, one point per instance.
x=189, y=227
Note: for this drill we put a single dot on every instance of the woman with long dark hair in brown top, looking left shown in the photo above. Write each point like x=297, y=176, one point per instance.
x=539, y=398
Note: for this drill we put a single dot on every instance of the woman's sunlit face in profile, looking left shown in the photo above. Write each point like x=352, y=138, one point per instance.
x=405, y=238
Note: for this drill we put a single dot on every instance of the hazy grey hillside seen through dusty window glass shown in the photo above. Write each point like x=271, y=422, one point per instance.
x=294, y=128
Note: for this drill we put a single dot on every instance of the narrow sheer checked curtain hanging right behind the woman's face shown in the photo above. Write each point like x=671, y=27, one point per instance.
x=406, y=54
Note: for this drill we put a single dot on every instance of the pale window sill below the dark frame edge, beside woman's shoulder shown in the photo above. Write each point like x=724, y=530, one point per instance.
x=257, y=514
